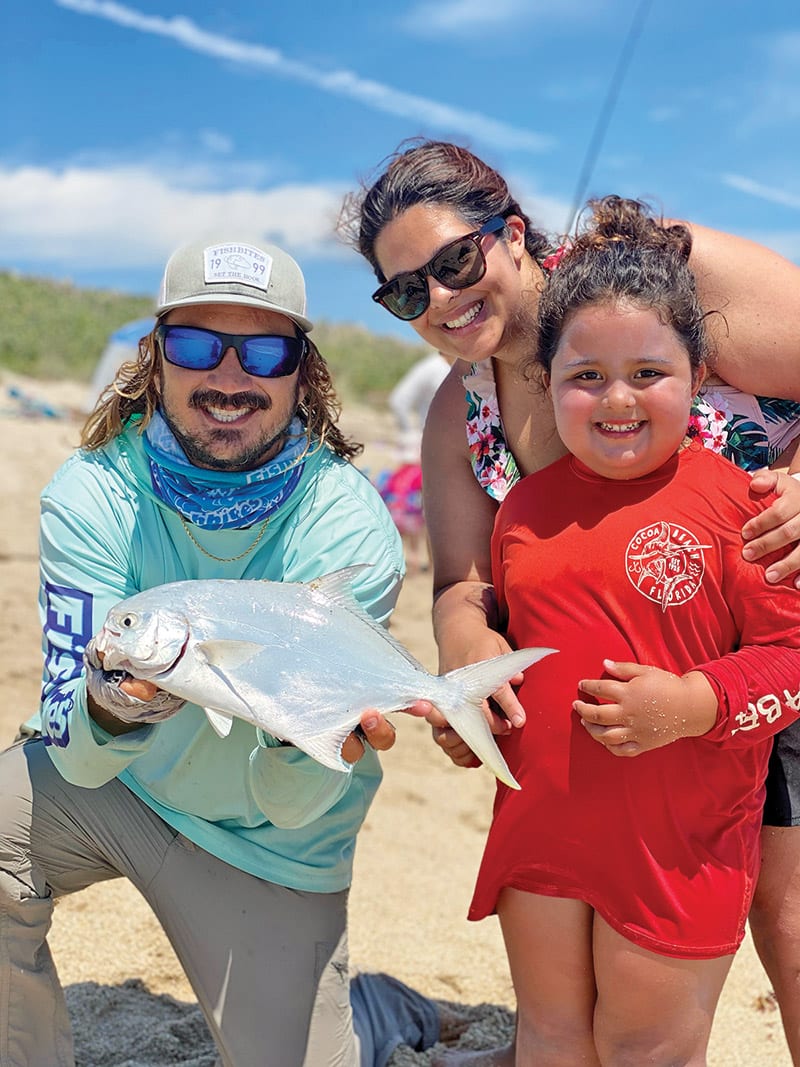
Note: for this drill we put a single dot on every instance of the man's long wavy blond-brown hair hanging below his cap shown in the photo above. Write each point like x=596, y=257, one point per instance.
x=135, y=392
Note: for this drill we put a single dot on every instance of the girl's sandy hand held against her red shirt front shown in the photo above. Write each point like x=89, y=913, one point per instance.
x=645, y=708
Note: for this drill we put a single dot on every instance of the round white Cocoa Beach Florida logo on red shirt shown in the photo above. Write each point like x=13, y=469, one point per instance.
x=666, y=564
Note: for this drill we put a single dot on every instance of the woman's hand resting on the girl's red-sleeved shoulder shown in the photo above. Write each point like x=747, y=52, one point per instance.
x=778, y=528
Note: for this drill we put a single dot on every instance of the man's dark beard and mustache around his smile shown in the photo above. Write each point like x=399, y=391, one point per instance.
x=254, y=456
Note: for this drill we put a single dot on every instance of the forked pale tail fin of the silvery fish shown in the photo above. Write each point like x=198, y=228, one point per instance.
x=465, y=712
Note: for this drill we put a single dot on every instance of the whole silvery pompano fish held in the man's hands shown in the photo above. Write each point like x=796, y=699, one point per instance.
x=302, y=661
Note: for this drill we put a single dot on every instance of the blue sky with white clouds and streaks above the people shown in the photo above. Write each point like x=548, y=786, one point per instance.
x=130, y=128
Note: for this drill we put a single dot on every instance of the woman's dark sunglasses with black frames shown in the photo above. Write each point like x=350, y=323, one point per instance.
x=458, y=266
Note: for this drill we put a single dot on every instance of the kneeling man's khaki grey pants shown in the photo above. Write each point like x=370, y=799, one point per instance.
x=269, y=965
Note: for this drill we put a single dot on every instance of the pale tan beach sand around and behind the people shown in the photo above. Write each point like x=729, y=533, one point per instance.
x=415, y=864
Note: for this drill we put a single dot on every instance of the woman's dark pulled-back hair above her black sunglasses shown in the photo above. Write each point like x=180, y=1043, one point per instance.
x=431, y=173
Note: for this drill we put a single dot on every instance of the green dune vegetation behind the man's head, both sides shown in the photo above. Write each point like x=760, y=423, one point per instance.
x=57, y=331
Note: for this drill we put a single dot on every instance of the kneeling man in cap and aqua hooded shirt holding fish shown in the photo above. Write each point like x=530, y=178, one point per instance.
x=217, y=455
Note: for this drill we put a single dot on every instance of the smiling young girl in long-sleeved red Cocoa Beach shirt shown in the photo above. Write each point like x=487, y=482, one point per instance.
x=623, y=886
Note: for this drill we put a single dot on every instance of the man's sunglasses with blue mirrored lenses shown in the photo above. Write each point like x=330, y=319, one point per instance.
x=265, y=356
